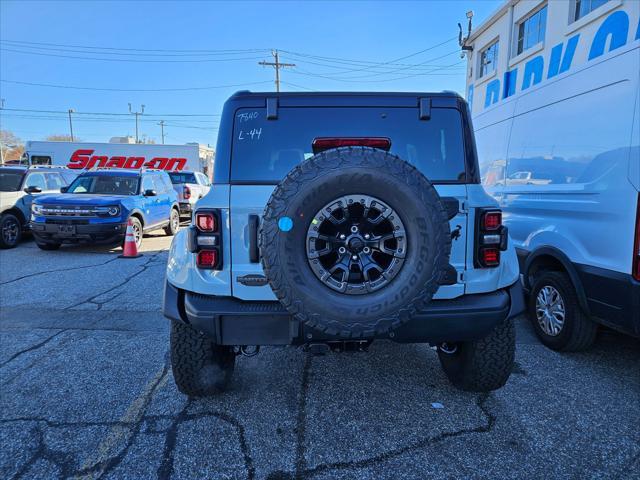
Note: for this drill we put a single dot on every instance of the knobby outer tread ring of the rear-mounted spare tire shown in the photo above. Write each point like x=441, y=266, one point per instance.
x=321, y=165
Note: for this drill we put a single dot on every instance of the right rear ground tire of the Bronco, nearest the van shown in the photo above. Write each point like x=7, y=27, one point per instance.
x=481, y=365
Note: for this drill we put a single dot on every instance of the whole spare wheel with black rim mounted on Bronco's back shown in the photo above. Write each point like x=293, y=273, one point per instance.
x=354, y=241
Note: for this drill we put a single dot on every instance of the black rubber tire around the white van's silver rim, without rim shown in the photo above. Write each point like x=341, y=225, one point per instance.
x=583, y=330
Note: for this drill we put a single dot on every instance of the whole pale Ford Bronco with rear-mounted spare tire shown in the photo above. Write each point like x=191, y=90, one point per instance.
x=336, y=219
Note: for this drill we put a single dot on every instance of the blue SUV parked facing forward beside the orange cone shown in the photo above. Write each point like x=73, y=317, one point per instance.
x=97, y=205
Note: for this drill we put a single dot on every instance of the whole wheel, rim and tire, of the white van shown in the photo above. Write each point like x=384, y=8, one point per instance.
x=556, y=315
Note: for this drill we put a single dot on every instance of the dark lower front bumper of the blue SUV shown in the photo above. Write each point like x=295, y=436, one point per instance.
x=87, y=233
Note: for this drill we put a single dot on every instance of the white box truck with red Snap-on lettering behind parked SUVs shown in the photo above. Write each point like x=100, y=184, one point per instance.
x=84, y=156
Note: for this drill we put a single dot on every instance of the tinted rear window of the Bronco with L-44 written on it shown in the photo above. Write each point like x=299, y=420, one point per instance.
x=265, y=150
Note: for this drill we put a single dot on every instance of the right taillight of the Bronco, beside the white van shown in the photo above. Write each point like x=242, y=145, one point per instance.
x=491, y=238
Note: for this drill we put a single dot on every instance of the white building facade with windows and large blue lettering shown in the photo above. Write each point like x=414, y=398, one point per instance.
x=527, y=42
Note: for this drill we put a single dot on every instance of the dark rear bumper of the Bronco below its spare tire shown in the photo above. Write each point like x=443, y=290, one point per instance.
x=229, y=321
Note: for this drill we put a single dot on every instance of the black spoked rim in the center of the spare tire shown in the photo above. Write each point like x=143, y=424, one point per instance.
x=356, y=244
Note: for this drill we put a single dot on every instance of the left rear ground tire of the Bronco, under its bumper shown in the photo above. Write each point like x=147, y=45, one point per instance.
x=200, y=367
